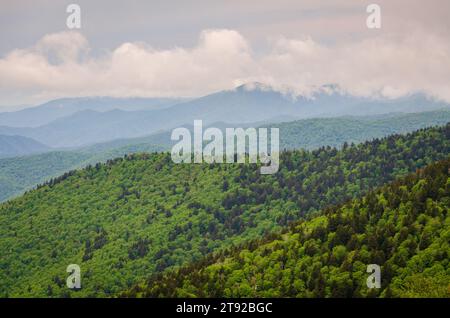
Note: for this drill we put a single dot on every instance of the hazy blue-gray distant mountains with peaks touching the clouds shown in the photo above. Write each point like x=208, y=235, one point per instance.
x=94, y=124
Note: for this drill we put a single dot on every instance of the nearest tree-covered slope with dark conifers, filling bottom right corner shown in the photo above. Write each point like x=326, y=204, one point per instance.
x=404, y=227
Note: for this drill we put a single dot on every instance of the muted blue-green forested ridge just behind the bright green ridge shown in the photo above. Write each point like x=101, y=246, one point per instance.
x=20, y=174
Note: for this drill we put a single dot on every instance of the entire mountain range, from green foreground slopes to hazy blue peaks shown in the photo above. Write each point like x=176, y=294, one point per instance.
x=94, y=185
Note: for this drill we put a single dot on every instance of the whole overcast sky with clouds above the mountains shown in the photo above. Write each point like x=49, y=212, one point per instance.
x=193, y=48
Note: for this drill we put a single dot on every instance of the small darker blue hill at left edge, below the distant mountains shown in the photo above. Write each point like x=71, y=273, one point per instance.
x=11, y=146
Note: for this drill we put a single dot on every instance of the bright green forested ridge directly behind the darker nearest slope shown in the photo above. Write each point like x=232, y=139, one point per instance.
x=134, y=216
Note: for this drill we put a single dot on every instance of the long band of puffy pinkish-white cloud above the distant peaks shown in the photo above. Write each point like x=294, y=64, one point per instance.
x=60, y=64
